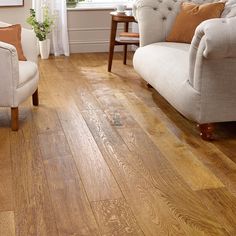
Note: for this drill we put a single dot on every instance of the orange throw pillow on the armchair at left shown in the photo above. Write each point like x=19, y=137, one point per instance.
x=12, y=35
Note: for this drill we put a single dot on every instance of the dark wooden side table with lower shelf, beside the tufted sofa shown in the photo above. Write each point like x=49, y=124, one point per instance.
x=116, y=18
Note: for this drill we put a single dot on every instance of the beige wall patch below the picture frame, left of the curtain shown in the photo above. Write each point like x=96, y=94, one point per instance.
x=16, y=15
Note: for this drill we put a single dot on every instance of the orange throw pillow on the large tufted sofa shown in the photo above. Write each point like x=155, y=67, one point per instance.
x=190, y=16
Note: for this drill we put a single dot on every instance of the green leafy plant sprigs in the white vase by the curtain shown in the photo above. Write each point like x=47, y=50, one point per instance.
x=41, y=29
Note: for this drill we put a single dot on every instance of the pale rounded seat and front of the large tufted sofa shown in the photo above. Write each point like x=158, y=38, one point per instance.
x=165, y=66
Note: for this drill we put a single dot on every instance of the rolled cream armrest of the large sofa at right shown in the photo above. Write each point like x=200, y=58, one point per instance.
x=214, y=39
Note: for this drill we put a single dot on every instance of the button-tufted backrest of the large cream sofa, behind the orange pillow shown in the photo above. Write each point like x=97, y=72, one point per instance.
x=156, y=17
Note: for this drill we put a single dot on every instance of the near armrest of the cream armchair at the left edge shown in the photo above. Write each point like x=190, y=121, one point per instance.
x=9, y=76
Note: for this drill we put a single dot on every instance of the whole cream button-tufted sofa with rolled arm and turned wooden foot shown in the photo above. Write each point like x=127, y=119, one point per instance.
x=198, y=79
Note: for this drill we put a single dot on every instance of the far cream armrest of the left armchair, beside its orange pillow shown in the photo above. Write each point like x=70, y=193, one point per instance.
x=29, y=45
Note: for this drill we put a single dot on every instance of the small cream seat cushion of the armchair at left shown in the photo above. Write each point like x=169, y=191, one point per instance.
x=27, y=71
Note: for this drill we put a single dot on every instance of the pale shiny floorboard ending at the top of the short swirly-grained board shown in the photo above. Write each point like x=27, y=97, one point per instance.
x=97, y=178
